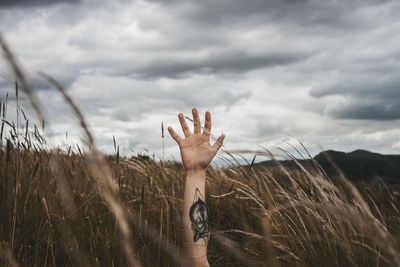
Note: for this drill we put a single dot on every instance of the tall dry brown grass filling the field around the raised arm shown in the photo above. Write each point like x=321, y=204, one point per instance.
x=74, y=208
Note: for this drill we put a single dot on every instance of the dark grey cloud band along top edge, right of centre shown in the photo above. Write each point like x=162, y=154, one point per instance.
x=303, y=13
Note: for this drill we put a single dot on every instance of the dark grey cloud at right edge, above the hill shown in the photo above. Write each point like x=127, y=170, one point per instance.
x=365, y=97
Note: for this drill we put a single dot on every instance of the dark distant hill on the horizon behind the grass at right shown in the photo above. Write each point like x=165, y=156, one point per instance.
x=356, y=165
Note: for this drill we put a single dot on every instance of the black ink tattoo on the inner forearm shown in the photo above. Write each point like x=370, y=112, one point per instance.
x=198, y=217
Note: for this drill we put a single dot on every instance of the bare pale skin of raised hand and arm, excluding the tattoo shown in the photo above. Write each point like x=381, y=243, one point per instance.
x=197, y=153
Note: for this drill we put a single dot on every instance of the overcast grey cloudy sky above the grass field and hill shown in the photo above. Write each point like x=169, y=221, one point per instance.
x=324, y=72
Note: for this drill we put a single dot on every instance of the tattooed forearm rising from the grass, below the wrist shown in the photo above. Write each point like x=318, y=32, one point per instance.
x=195, y=225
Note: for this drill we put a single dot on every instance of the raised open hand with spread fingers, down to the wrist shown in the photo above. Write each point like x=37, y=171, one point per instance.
x=196, y=150
